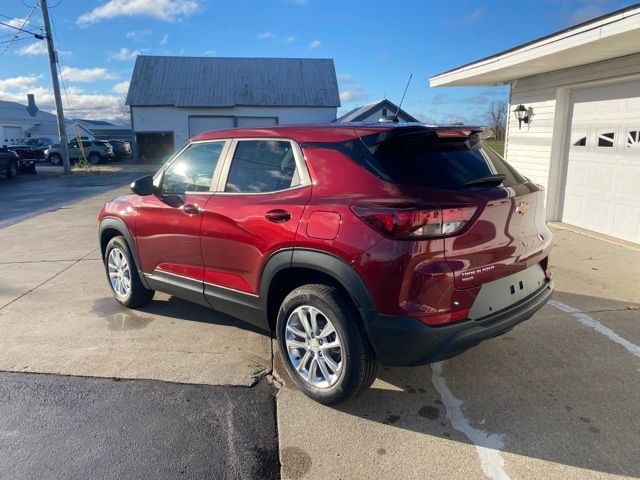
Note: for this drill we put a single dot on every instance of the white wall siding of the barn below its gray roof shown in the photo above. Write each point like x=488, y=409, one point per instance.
x=172, y=119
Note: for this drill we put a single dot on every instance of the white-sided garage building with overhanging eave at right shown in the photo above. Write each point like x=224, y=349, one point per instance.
x=580, y=89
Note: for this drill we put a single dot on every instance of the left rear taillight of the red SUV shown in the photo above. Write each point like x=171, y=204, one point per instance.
x=415, y=222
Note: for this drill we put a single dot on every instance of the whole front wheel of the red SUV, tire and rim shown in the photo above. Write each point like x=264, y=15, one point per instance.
x=122, y=273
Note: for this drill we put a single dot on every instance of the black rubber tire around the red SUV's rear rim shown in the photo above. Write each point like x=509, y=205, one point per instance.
x=359, y=363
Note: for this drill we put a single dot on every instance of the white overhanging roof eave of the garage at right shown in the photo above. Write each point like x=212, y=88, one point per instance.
x=611, y=36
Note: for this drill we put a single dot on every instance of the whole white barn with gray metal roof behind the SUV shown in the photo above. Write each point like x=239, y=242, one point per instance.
x=175, y=98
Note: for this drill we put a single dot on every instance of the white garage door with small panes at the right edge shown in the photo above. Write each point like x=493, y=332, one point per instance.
x=603, y=175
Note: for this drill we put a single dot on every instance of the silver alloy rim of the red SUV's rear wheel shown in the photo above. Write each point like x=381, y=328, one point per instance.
x=314, y=347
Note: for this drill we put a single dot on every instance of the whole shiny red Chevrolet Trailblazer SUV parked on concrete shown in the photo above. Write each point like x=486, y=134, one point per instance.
x=355, y=243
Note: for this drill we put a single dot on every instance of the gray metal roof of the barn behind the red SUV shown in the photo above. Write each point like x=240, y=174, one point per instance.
x=229, y=82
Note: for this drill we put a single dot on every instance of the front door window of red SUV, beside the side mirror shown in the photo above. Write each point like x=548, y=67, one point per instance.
x=193, y=169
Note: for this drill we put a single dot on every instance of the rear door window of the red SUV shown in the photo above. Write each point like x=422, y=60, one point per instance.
x=260, y=166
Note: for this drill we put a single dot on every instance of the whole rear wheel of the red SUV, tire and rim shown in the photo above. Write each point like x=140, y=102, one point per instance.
x=323, y=344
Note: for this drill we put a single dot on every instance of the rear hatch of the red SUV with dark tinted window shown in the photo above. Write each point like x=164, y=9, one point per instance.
x=505, y=232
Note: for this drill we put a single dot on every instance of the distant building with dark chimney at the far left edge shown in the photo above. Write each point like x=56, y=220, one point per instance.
x=16, y=119
